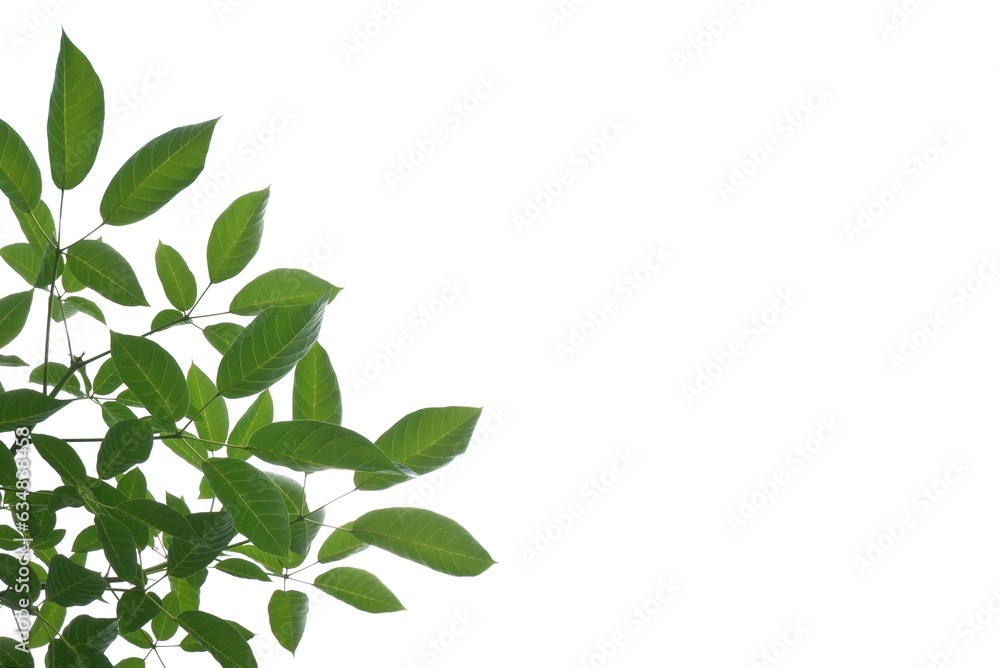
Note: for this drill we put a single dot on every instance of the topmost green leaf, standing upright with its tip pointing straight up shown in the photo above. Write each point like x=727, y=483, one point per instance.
x=76, y=117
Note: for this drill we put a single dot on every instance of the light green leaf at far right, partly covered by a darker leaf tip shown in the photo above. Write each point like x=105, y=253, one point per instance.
x=421, y=442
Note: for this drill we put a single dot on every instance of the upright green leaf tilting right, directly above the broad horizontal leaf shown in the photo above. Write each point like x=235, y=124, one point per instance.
x=236, y=235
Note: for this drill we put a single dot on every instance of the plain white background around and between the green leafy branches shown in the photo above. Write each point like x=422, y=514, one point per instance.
x=561, y=419
